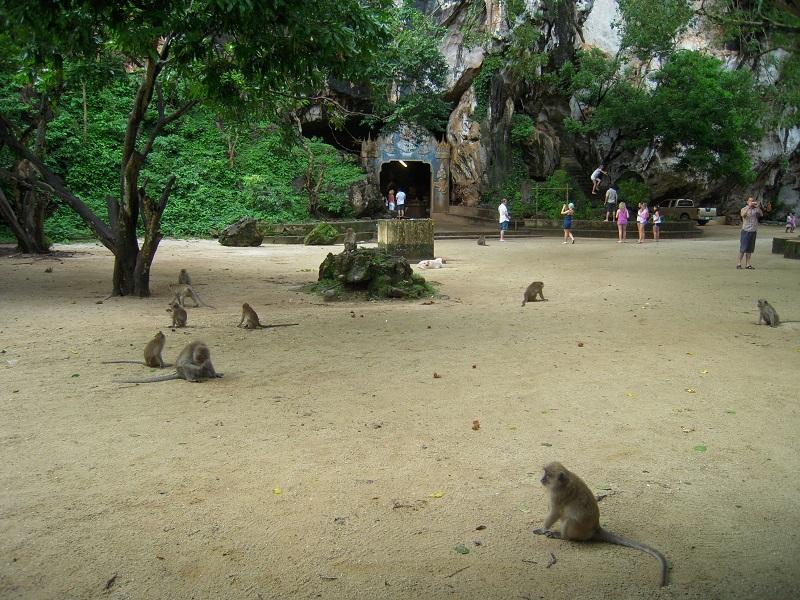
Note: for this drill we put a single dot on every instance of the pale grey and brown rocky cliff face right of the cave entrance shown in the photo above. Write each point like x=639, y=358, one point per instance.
x=479, y=136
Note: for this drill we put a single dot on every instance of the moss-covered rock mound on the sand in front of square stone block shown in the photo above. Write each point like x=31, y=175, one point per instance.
x=371, y=273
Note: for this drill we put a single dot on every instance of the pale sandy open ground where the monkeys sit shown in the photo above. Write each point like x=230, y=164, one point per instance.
x=330, y=463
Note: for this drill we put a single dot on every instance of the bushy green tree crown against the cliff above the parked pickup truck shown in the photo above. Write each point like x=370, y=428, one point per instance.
x=705, y=114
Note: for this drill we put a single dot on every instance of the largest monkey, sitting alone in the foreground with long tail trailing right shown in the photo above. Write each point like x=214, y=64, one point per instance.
x=572, y=501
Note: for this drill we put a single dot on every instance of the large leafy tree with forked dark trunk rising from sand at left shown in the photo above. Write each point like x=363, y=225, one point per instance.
x=222, y=52
